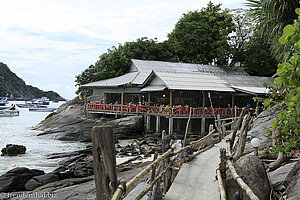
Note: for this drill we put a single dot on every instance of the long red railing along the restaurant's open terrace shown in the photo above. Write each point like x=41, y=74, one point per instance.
x=176, y=111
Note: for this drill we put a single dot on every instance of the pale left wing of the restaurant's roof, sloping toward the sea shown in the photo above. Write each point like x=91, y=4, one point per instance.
x=113, y=82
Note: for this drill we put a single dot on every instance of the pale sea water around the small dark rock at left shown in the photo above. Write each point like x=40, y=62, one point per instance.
x=18, y=130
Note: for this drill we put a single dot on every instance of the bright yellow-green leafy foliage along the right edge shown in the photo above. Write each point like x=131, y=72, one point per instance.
x=287, y=94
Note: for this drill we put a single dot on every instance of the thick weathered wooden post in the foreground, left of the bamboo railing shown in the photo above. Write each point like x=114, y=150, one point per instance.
x=104, y=161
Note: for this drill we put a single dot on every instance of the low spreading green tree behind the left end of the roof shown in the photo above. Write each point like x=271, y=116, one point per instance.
x=117, y=60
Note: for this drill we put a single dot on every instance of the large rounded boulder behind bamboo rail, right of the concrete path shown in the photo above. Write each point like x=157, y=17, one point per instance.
x=251, y=169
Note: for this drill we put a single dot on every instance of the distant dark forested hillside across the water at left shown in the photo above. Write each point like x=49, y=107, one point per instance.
x=15, y=88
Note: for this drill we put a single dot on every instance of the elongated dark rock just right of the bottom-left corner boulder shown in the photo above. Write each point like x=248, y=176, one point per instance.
x=41, y=180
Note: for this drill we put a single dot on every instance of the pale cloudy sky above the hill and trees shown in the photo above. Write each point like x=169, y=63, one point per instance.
x=48, y=42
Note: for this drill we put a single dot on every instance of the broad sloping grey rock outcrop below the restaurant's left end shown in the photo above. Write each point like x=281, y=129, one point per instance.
x=69, y=123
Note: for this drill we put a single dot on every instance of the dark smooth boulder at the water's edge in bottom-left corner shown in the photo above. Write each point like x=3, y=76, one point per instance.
x=15, y=179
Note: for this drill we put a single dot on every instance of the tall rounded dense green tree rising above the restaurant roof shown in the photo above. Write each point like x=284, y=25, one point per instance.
x=202, y=36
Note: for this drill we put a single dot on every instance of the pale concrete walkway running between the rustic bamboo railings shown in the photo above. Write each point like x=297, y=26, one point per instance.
x=196, y=179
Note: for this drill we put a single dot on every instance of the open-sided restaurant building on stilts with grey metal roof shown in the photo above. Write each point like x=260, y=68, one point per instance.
x=167, y=94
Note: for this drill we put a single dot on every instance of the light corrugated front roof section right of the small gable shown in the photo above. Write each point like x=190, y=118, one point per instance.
x=193, y=81
